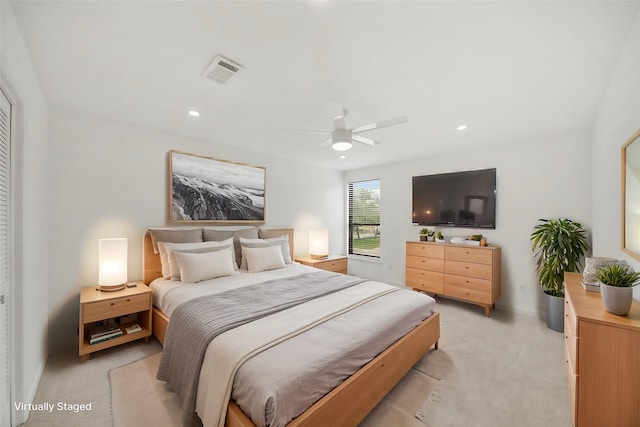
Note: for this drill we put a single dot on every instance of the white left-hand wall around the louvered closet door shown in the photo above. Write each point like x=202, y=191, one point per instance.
x=29, y=273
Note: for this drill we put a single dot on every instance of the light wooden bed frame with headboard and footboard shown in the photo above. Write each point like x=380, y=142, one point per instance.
x=347, y=404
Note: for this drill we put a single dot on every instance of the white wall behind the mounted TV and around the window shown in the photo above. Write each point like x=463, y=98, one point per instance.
x=542, y=178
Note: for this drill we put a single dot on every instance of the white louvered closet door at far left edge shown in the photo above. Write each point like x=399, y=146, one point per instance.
x=5, y=300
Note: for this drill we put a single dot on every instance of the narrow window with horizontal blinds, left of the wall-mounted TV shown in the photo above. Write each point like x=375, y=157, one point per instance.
x=364, y=218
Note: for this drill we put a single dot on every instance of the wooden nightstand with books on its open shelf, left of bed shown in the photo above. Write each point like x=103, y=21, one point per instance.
x=99, y=307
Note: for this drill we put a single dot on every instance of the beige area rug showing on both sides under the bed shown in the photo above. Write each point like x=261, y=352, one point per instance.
x=139, y=399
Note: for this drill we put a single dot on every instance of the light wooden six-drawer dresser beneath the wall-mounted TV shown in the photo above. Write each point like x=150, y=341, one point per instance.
x=469, y=273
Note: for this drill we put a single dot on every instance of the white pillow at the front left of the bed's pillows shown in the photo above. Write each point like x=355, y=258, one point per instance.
x=196, y=267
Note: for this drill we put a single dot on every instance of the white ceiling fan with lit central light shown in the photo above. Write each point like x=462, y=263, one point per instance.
x=342, y=138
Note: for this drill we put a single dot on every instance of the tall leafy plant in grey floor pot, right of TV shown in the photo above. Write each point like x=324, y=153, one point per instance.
x=559, y=246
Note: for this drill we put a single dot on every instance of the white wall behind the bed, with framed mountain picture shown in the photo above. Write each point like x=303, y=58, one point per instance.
x=110, y=179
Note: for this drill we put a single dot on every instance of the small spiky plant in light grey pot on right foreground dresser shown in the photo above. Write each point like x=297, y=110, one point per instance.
x=616, y=288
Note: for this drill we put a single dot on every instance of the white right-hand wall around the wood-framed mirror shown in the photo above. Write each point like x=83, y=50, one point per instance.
x=617, y=119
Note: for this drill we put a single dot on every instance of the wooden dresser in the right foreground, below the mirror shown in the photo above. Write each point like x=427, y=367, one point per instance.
x=602, y=357
